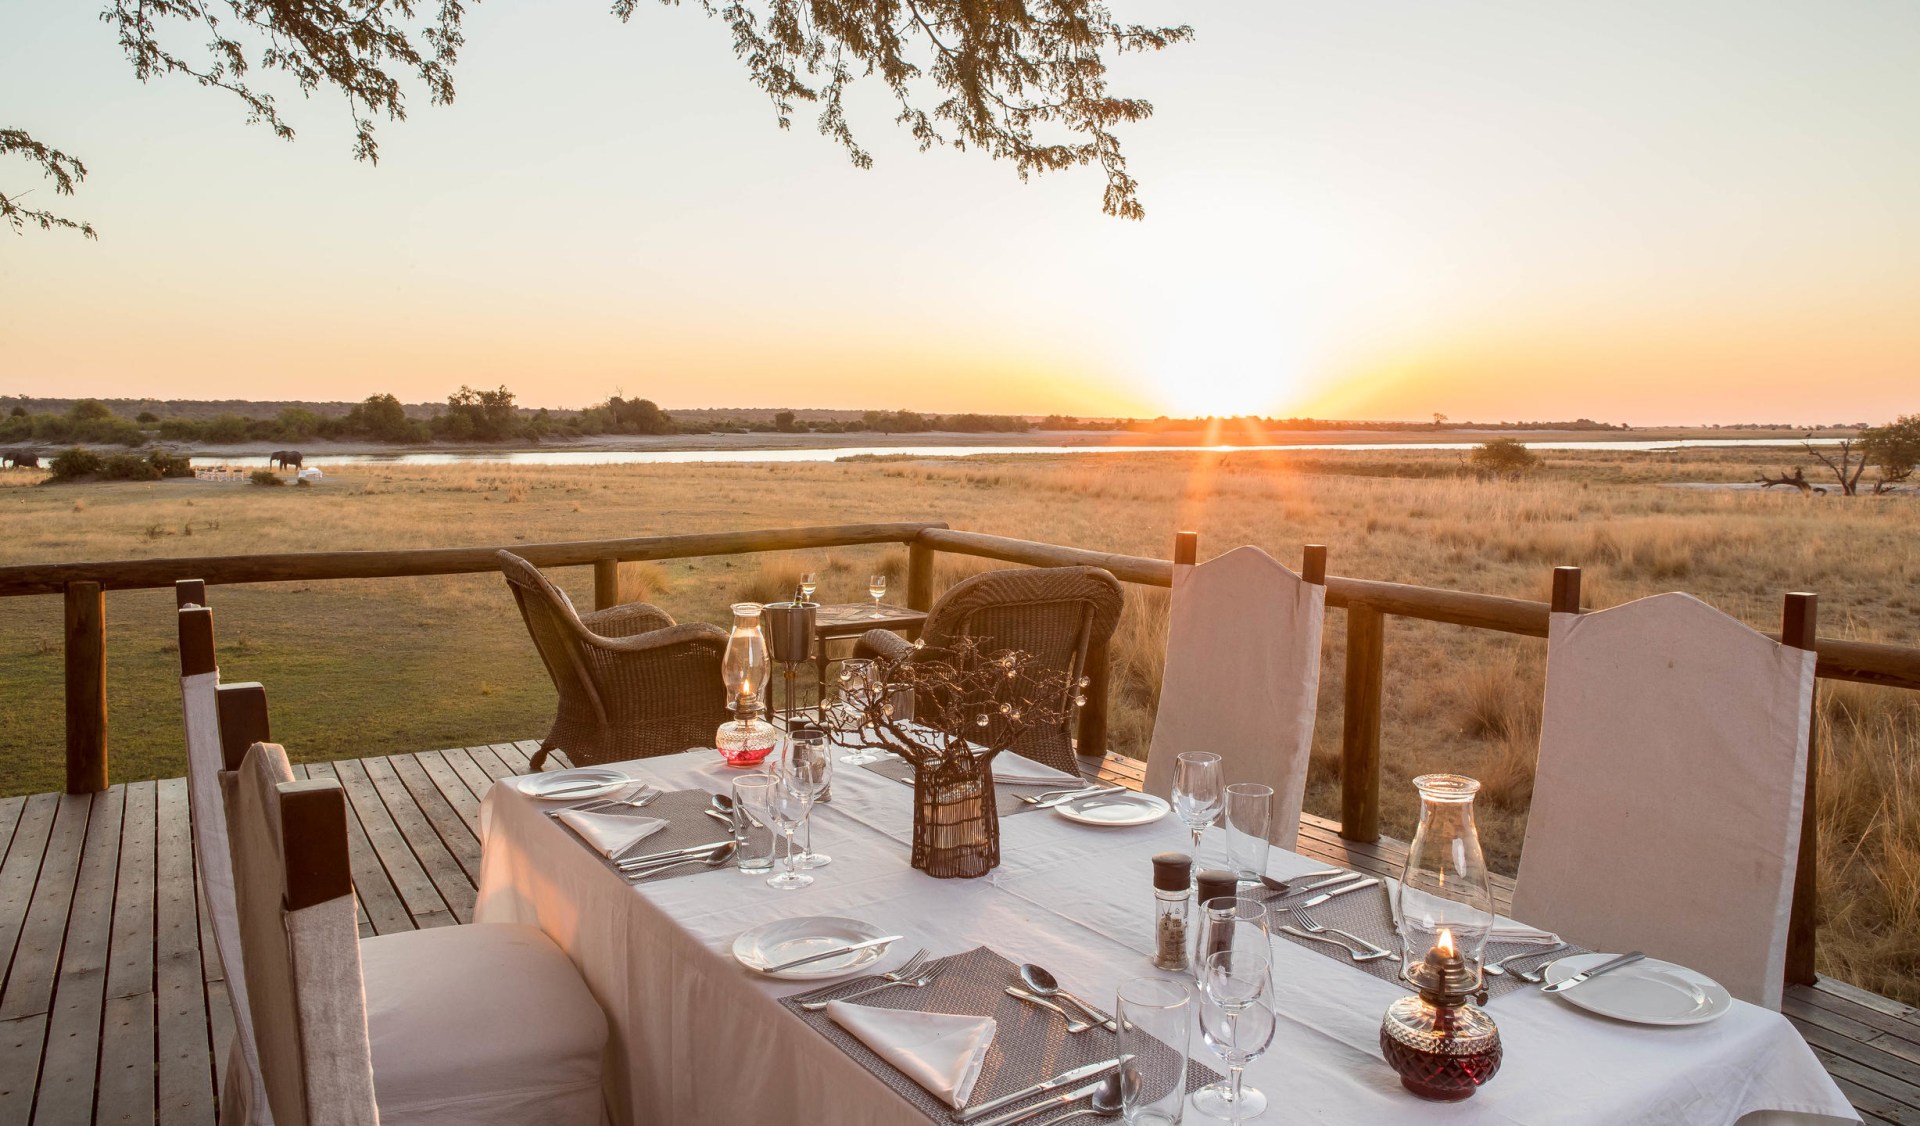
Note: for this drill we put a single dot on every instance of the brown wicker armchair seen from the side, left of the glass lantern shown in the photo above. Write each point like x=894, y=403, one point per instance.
x=633, y=683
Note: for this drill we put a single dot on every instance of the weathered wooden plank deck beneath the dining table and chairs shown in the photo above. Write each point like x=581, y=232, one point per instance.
x=114, y=1004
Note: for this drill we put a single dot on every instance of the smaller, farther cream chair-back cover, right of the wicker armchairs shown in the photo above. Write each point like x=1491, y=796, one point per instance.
x=1243, y=677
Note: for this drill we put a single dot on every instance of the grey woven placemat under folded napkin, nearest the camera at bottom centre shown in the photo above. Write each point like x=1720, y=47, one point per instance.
x=1030, y=1044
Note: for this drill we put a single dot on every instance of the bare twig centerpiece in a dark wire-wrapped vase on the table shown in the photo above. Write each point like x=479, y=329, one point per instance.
x=951, y=712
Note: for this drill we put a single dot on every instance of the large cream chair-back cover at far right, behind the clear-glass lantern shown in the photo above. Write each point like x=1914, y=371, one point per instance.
x=1668, y=802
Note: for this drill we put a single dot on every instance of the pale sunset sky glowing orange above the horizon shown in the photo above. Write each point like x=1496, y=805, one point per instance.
x=1631, y=212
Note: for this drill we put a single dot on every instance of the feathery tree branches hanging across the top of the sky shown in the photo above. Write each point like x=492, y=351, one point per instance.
x=1017, y=80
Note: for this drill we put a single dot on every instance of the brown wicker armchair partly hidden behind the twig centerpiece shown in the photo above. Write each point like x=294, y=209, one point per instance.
x=1057, y=614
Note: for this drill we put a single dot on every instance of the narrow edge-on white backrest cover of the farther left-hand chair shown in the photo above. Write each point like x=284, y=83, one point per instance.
x=243, y=1096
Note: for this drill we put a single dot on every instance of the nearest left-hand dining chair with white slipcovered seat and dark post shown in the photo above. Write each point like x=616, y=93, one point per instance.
x=458, y=1025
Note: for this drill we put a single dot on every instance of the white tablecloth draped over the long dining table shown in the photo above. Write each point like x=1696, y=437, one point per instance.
x=702, y=1040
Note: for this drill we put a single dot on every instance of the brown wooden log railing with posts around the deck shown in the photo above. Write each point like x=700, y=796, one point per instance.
x=1368, y=606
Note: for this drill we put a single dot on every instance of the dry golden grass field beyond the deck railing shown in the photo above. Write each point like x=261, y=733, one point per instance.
x=402, y=666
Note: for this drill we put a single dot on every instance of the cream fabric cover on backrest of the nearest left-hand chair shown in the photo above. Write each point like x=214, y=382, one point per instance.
x=304, y=969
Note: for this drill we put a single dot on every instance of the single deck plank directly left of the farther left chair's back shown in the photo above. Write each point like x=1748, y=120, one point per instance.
x=185, y=1056
